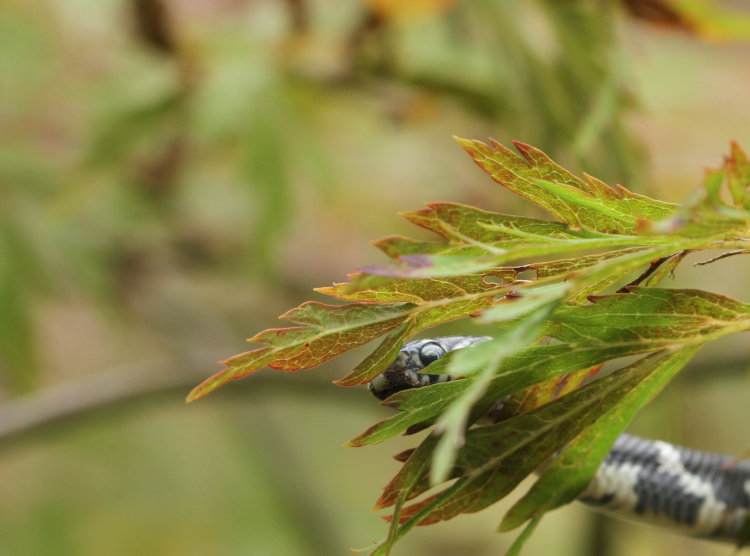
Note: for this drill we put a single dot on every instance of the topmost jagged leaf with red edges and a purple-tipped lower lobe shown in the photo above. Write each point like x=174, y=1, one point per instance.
x=593, y=216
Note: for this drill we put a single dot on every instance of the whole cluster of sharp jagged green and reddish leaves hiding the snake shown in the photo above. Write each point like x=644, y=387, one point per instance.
x=592, y=298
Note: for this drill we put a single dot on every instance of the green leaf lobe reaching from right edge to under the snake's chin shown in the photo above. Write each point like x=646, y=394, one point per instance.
x=646, y=319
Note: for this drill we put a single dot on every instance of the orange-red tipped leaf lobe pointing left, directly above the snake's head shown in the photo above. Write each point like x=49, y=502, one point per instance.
x=331, y=330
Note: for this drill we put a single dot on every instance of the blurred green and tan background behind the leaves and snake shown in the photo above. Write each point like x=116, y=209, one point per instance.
x=174, y=174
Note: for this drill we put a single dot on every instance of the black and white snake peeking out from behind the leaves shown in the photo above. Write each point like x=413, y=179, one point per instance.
x=697, y=493
